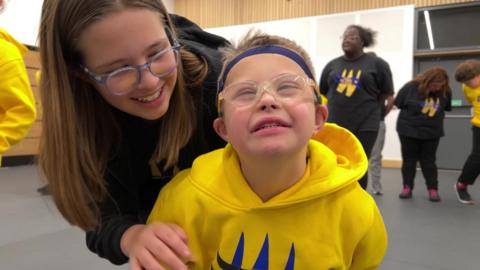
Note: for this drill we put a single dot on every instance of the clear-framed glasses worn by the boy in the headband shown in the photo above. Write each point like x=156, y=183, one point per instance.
x=283, y=88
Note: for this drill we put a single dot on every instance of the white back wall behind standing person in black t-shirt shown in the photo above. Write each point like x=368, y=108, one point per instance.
x=320, y=36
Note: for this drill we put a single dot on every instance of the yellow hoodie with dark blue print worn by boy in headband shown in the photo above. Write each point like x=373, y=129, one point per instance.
x=324, y=221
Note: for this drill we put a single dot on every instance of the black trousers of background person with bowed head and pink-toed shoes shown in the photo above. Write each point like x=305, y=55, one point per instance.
x=424, y=151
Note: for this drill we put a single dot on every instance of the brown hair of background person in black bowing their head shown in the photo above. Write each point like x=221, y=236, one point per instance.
x=434, y=74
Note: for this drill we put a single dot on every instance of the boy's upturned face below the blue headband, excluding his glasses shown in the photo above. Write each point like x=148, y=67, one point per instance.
x=269, y=125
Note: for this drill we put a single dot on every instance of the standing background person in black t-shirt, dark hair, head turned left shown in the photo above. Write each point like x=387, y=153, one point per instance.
x=356, y=84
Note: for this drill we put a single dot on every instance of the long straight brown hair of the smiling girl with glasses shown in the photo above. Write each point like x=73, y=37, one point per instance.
x=78, y=127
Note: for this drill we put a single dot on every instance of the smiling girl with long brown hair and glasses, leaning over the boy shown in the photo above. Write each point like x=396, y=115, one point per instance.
x=128, y=96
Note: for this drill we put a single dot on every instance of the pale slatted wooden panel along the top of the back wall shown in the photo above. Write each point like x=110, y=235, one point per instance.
x=216, y=13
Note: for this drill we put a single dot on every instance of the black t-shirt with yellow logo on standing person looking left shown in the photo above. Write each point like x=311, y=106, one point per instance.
x=353, y=89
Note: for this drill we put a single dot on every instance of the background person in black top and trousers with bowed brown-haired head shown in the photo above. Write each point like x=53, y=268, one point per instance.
x=422, y=103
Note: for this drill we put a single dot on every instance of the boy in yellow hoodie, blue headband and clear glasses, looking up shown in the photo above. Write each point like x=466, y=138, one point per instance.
x=273, y=198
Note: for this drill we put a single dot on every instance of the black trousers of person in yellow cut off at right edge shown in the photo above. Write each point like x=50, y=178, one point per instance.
x=471, y=168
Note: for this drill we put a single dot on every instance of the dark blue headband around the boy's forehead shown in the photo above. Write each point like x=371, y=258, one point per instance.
x=261, y=50
